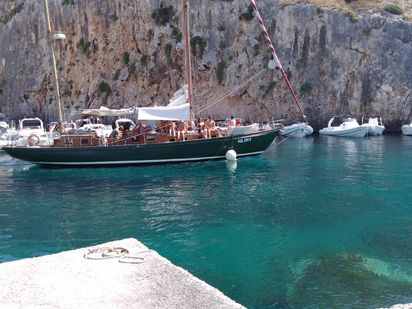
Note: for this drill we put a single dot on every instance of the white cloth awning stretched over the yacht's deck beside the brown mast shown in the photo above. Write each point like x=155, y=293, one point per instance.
x=180, y=112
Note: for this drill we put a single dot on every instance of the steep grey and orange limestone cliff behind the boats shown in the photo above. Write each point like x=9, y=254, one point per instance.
x=122, y=53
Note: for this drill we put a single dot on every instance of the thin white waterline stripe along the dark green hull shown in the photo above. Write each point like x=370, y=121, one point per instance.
x=143, y=161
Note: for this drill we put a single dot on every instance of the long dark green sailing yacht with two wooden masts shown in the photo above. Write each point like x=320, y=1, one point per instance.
x=149, y=146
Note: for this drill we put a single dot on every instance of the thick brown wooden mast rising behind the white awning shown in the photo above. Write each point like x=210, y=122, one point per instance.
x=188, y=63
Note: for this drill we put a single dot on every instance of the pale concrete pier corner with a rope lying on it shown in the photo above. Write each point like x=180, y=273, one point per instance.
x=92, y=278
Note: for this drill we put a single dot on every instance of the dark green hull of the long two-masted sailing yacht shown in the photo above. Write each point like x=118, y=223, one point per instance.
x=194, y=150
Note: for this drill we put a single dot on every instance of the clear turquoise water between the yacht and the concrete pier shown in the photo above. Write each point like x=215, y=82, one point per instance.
x=320, y=222
